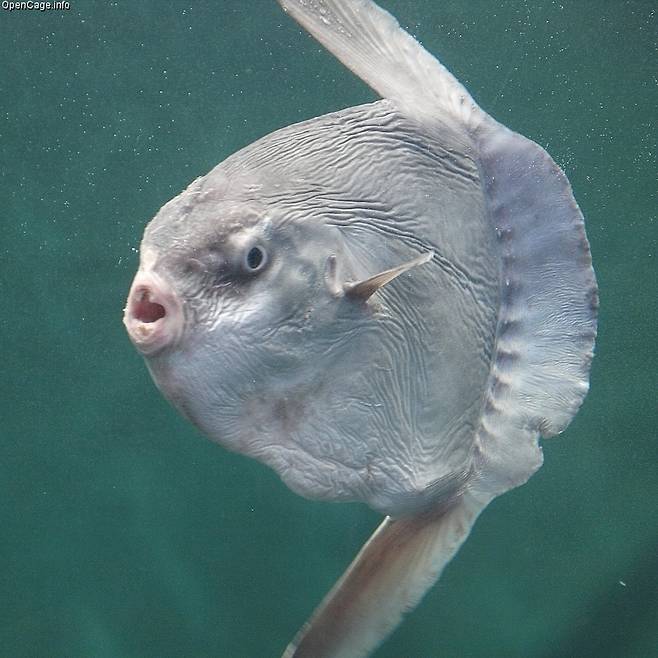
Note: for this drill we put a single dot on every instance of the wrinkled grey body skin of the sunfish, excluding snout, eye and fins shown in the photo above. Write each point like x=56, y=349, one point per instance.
x=346, y=399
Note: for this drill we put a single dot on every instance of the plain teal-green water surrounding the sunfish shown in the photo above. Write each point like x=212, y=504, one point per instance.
x=123, y=532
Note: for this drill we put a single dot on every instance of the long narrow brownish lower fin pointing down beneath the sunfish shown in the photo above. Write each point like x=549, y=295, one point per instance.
x=389, y=576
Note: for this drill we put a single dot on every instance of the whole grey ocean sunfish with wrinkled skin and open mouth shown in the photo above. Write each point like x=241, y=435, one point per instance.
x=391, y=303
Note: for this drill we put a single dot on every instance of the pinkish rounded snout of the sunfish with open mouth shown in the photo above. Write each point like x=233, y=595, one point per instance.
x=153, y=315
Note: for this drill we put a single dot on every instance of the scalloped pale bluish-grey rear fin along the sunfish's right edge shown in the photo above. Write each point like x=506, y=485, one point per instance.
x=548, y=312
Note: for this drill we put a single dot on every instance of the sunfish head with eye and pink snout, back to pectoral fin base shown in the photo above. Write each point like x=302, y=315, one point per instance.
x=234, y=306
